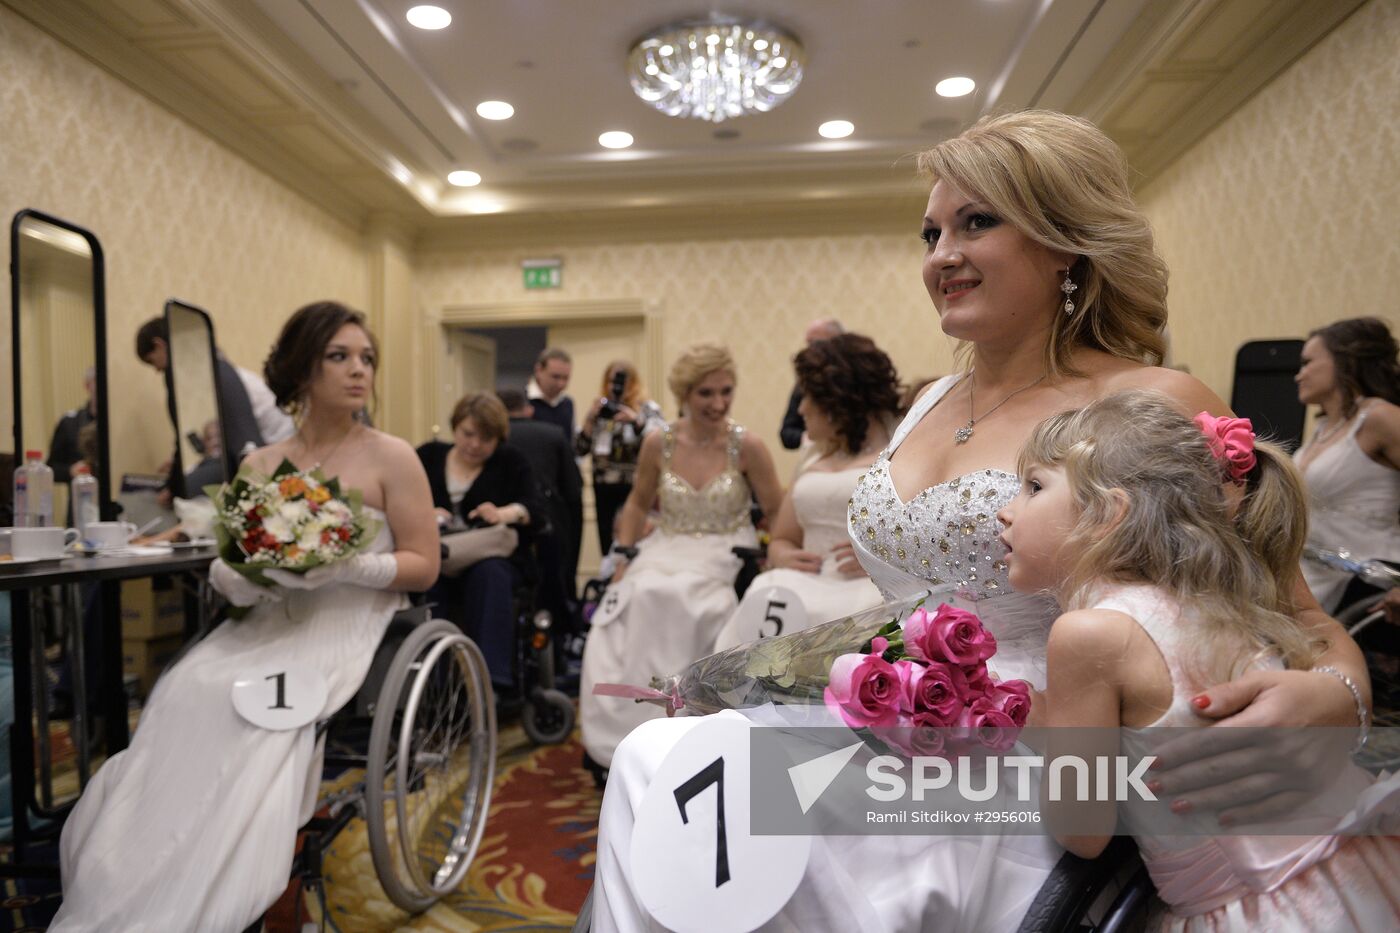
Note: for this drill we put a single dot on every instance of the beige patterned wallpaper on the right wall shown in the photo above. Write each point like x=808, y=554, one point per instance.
x=1286, y=216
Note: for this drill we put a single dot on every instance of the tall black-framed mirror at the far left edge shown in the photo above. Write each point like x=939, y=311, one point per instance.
x=59, y=352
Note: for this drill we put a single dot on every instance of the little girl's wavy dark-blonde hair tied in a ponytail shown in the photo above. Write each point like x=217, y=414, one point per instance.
x=1156, y=508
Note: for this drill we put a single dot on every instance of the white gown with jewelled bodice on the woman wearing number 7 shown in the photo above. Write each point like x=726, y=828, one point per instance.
x=941, y=540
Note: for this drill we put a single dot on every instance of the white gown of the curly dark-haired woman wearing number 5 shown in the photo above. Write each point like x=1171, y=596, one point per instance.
x=821, y=501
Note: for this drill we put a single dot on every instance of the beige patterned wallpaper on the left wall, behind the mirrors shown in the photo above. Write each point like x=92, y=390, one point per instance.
x=177, y=214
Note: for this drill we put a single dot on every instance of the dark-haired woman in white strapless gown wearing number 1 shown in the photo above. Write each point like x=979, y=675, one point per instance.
x=194, y=827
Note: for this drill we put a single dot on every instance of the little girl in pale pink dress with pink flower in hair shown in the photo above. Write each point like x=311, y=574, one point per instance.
x=1171, y=547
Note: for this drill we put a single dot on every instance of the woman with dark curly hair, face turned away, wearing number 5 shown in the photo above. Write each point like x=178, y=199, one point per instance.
x=850, y=394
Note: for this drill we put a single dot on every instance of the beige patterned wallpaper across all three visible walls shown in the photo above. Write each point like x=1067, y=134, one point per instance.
x=1275, y=223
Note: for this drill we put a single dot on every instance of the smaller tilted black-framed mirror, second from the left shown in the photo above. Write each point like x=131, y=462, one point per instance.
x=204, y=455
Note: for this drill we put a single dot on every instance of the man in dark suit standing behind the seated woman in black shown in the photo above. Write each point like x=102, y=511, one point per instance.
x=552, y=459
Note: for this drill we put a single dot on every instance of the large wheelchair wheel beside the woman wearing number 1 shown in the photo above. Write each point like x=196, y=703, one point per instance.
x=430, y=767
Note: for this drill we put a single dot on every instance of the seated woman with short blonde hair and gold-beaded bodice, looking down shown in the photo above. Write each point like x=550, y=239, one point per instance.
x=666, y=609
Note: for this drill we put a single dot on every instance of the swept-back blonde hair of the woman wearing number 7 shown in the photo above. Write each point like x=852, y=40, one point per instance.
x=1063, y=184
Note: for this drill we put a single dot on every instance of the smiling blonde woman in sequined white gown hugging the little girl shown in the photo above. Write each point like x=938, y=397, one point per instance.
x=1027, y=209
